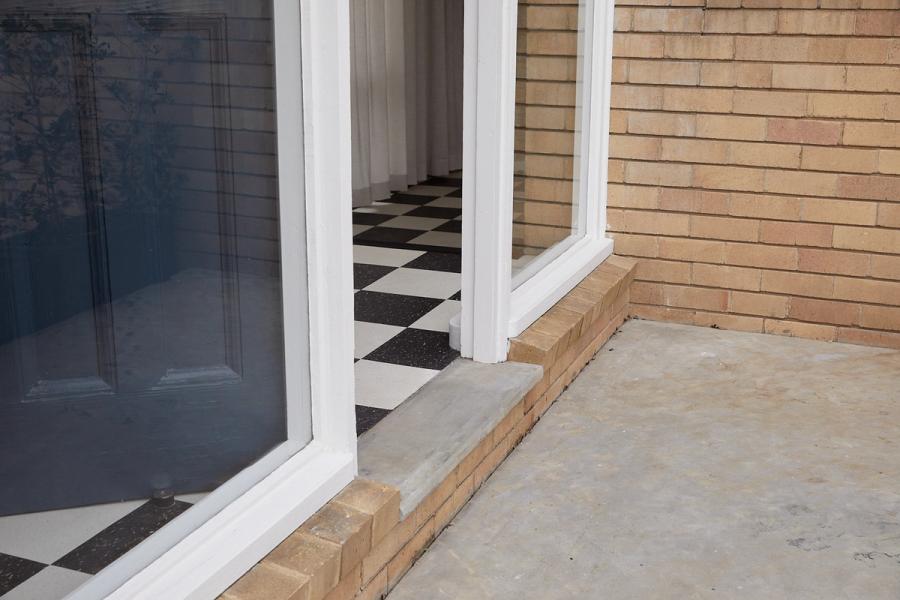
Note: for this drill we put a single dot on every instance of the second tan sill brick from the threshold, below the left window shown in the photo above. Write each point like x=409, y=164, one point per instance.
x=349, y=528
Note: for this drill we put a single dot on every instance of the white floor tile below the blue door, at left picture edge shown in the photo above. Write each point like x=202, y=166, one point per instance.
x=48, y=536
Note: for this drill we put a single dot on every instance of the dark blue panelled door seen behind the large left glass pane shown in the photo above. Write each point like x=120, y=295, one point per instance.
x=141, y=332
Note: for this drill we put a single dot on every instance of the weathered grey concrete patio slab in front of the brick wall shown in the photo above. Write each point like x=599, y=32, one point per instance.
x=692, y=463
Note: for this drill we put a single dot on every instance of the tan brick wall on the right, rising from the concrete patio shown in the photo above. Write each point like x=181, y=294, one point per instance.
x=755, y=154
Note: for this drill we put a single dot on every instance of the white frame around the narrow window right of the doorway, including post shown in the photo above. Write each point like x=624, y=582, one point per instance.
x=493, y=311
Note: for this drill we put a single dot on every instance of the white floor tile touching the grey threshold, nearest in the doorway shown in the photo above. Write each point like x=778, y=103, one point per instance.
x=382, y=385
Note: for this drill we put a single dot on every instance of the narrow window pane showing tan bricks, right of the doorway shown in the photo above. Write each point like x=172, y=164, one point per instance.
x=548, y=126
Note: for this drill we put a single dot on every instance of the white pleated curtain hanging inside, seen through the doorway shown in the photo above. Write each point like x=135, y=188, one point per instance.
x=406, y=103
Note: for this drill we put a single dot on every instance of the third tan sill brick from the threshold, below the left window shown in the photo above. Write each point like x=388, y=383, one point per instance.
x=317, y=558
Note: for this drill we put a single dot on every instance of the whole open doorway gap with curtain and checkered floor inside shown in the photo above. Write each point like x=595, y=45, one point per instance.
x=406, y=98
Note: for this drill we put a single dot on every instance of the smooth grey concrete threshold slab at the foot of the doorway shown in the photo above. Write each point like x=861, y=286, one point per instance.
x=419, y=444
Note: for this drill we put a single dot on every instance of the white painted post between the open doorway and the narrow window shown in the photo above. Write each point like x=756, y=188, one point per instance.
x=488, y=125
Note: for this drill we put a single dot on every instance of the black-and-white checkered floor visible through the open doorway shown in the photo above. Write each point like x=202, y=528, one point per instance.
x=406, y=272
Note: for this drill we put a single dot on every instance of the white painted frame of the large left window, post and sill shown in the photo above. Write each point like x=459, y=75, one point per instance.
x=201, y=553
